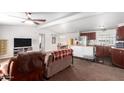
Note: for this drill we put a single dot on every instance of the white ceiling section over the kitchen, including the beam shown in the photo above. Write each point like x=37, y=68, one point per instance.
x=90, y=22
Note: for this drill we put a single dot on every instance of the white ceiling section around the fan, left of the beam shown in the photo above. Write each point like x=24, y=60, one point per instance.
x=13, y=18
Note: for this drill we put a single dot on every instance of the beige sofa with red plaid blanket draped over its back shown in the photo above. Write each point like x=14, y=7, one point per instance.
x=58, y=61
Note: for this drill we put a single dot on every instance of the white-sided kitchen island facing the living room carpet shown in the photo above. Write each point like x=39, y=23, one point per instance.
x=86, y=52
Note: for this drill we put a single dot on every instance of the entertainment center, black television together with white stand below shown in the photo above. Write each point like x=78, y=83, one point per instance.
x=22, y=45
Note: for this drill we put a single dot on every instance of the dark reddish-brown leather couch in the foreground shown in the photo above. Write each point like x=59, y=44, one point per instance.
x=27, y=67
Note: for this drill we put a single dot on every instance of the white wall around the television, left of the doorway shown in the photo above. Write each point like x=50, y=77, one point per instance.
x=11, y=32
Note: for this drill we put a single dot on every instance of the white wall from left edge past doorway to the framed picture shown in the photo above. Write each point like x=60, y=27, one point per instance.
x=11, y=32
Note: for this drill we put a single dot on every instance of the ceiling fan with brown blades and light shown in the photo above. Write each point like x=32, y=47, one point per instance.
x=29, y=19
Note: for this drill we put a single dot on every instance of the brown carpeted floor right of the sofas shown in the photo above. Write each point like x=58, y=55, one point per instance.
x=83, y=70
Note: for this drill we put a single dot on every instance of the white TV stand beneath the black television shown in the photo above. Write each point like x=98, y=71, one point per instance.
x=21, y=49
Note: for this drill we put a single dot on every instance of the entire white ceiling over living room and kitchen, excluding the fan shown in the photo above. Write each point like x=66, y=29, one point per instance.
x=63, y=22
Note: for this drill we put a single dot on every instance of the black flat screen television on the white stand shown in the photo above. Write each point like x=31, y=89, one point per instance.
x=22, y=42
